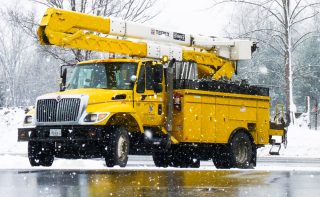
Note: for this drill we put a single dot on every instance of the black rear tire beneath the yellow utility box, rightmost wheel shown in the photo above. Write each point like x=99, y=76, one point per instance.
x=241, y=150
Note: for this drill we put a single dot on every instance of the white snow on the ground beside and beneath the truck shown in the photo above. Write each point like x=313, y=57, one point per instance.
x=302, y=142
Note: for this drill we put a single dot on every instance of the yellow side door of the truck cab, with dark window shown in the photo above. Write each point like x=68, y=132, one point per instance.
x=148, y=104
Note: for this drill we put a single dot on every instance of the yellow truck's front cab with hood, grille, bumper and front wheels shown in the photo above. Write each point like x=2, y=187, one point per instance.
x=100, y=97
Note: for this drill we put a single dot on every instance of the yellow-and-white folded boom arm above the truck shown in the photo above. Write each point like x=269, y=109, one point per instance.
x=67, y=29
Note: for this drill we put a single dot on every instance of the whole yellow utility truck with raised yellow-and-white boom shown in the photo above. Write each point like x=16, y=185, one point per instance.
x=173, y=99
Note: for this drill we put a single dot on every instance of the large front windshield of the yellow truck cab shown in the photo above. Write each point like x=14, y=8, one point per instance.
x=110, y=75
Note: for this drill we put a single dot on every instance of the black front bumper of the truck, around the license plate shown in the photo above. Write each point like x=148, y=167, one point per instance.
x=68, y=133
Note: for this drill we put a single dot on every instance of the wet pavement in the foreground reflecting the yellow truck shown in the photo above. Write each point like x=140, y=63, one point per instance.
x=122, y=182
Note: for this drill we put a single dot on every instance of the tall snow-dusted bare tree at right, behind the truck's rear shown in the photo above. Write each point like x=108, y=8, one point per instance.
x=280, y=21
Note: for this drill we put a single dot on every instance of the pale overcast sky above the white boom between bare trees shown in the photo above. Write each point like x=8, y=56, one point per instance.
x=189, y=16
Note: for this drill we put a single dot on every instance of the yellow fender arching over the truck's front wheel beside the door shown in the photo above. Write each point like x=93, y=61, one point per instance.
x=114, y=109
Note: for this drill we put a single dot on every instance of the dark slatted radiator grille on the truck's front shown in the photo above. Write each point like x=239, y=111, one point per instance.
x=50, y=110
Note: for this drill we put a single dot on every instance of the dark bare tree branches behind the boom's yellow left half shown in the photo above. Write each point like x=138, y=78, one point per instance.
x=131, y=10
